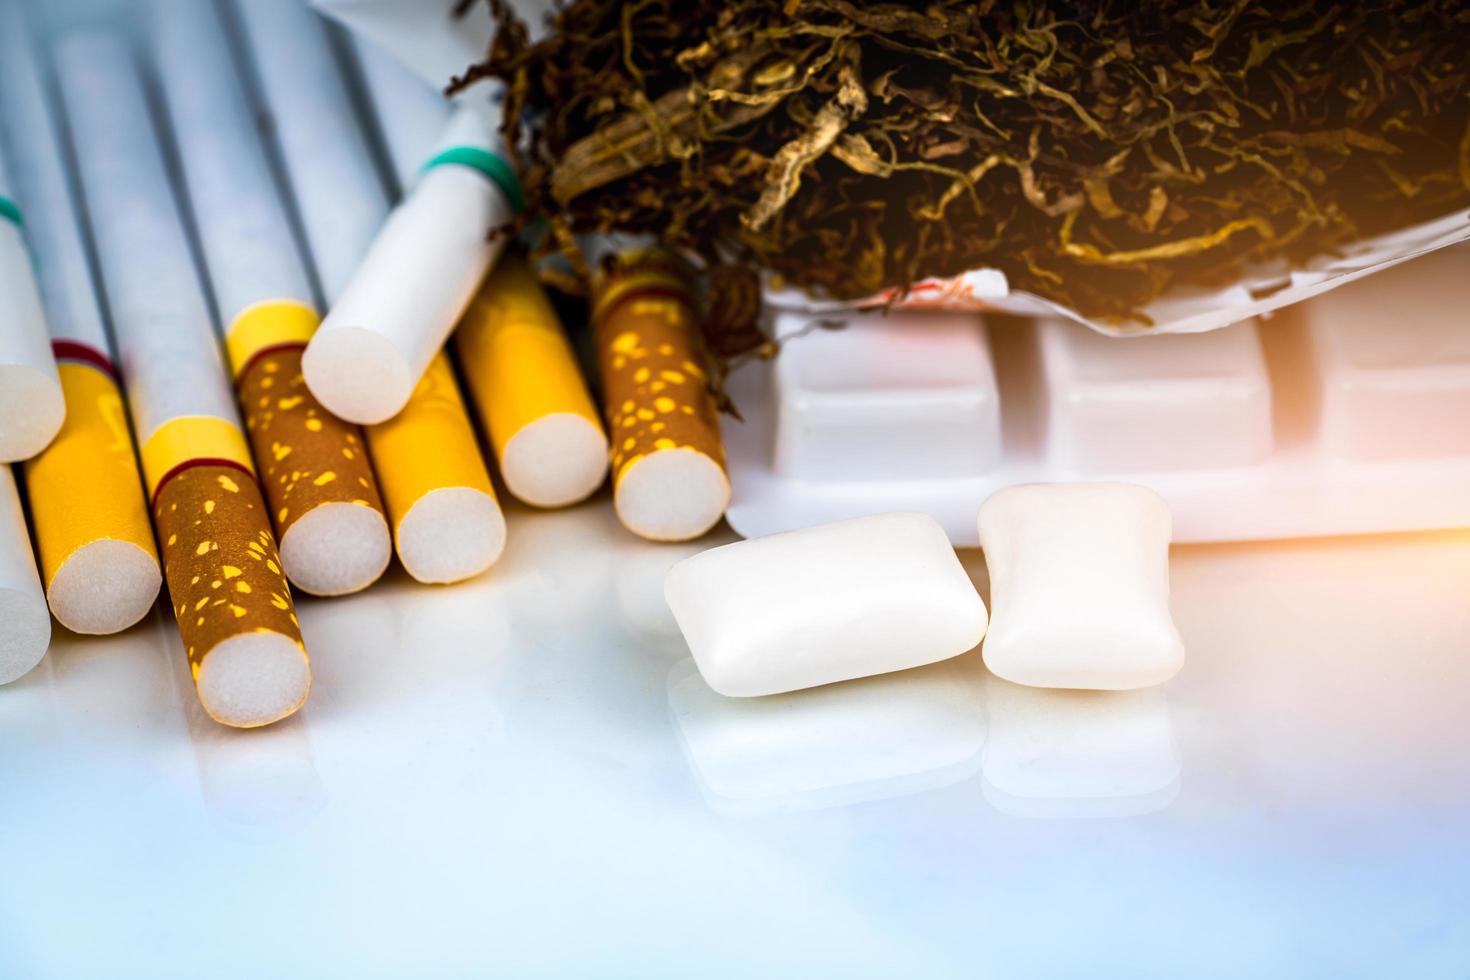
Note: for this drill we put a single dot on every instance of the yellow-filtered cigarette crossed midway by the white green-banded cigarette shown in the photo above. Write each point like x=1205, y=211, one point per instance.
x=442, y=508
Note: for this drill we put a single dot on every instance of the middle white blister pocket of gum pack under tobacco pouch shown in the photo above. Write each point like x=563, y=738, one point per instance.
x=1155, y=403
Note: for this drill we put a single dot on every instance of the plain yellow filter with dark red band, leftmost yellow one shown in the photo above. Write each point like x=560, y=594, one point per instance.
x=92, y=519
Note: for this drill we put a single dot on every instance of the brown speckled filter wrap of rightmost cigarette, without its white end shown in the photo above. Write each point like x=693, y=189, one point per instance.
x=655, y=386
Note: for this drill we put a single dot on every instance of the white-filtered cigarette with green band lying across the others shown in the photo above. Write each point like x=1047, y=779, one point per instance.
x=420, y=275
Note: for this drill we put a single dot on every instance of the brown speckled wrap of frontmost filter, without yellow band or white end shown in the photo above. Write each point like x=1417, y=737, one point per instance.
x=220, y=559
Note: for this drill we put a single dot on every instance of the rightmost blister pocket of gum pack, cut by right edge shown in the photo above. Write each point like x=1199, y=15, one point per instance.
x=1388, y=361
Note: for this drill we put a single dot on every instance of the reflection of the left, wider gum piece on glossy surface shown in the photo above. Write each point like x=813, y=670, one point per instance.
x=843, y=744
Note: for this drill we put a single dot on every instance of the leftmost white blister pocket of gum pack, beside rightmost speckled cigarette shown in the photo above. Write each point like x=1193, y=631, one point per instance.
x=902, y=396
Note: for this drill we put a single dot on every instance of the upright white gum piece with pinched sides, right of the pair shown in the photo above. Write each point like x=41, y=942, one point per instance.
x=1080, y=587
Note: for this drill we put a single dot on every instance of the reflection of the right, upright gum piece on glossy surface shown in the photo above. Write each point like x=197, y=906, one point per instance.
x=1078, y=753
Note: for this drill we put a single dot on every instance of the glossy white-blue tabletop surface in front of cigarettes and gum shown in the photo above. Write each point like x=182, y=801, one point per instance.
x=512, y=778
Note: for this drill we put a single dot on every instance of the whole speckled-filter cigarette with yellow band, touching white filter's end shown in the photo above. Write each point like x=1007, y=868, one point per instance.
x=318, y=483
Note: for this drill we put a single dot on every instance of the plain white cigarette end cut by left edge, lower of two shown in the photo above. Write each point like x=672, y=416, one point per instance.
x=26, y=628
